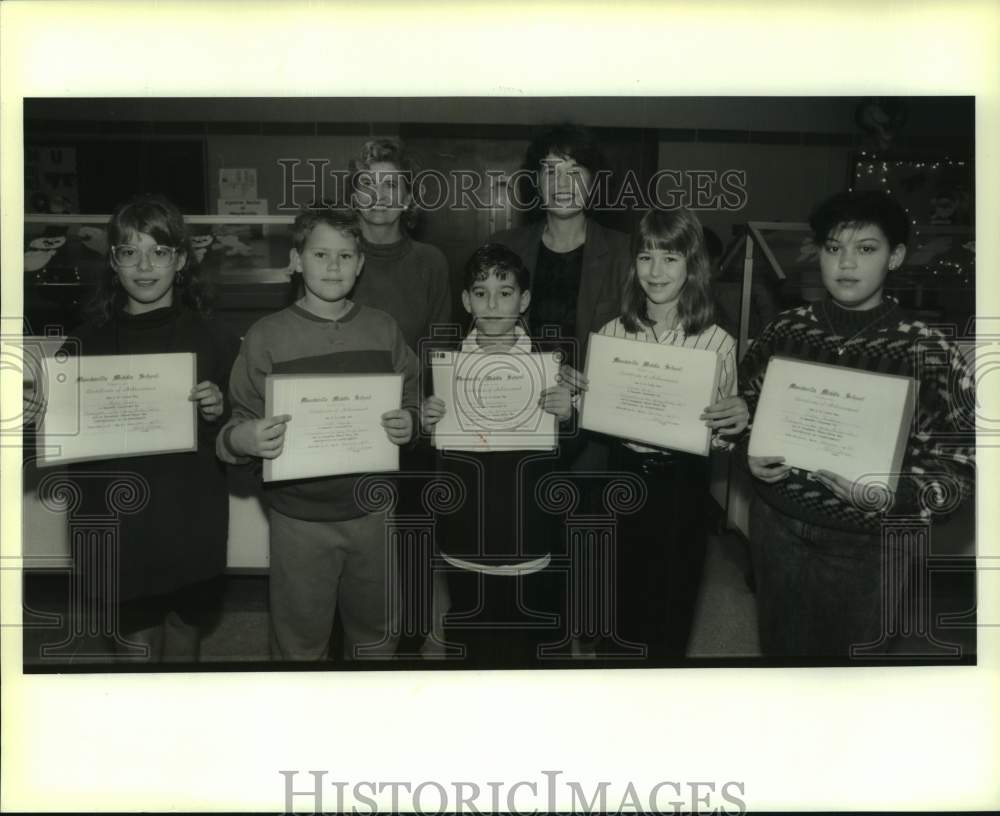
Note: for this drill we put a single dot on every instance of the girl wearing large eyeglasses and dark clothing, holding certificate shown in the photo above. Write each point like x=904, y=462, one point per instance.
x=152, y=299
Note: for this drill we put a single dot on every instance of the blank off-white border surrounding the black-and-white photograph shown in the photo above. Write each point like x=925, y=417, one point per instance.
x=833, y=739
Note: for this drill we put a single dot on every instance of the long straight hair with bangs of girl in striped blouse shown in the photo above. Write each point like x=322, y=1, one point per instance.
x=671, y=231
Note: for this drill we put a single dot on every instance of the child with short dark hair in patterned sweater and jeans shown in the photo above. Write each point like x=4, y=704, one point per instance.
x=815, y=537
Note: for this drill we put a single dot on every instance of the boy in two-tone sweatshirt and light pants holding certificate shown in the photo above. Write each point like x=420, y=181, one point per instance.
x=327, y=553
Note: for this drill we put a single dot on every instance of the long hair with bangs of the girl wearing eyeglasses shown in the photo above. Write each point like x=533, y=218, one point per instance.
x=158, y=218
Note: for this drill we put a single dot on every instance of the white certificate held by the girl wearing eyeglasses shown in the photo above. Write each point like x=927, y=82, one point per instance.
x=104, y=407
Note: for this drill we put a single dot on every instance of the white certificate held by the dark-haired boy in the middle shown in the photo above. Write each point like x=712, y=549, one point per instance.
x=493, y=400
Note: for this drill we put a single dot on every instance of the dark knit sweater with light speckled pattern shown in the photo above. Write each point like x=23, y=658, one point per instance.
x=937, y=469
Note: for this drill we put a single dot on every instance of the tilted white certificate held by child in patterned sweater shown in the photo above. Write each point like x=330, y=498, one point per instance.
x=822, y=417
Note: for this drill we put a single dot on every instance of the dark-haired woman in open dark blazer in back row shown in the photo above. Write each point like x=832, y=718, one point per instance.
x=578, y=269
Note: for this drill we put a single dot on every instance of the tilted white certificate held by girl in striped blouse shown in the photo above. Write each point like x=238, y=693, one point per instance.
x=650, y=393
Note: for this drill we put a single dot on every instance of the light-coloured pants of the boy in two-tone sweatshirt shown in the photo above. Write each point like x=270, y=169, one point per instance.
x=318, y=567
